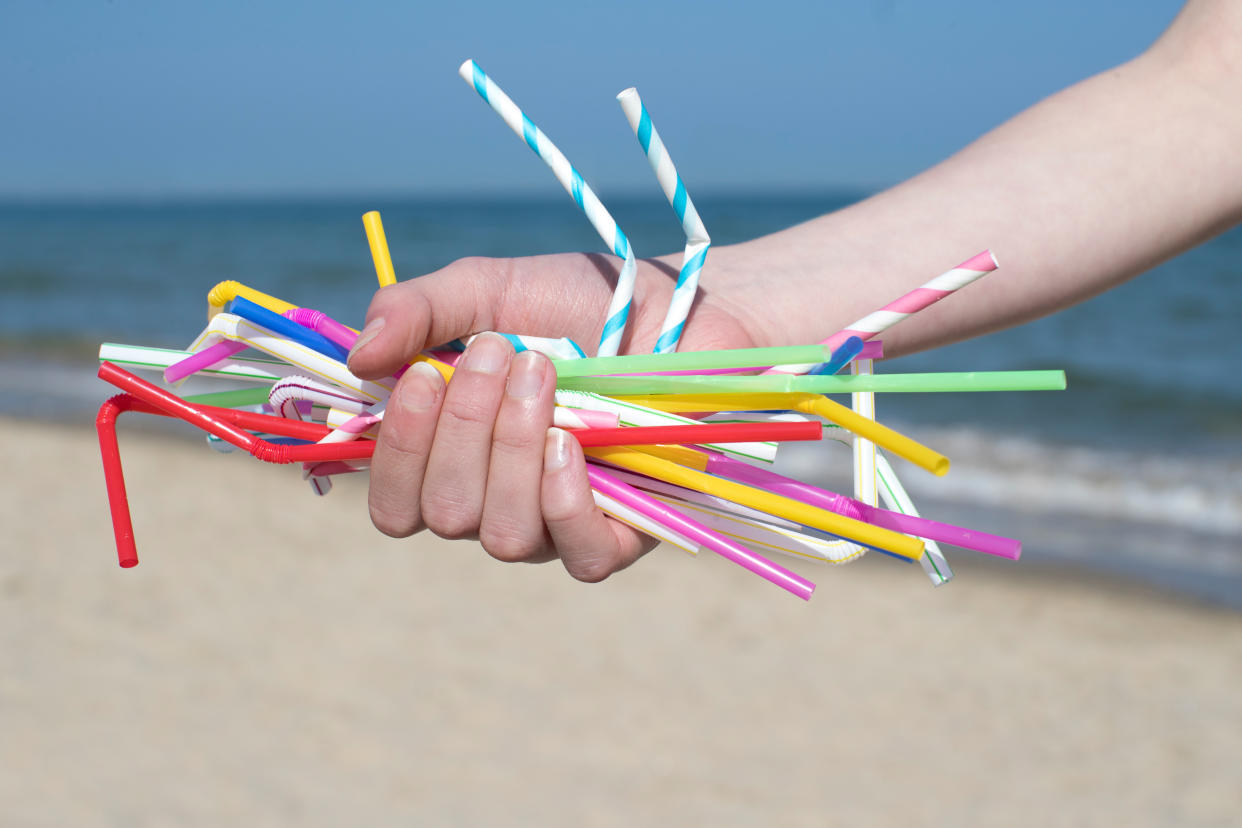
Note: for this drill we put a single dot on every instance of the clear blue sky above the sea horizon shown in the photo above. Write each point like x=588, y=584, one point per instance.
x=155, y=99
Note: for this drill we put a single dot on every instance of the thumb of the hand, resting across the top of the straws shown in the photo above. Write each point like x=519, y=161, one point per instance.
x=433, y=310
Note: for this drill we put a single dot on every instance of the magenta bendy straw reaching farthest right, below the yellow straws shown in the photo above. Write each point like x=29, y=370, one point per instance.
x=979, y=542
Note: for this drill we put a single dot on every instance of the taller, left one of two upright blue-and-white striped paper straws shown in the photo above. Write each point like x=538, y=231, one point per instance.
x=571, y=179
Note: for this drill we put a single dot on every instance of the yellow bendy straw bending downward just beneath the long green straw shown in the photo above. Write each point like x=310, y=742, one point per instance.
x=813, y=404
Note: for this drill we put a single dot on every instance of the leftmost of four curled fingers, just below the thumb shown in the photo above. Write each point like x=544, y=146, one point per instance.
x=402, y=450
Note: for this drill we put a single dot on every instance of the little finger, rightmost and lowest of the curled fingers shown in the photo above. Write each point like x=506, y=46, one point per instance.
x=591, y=546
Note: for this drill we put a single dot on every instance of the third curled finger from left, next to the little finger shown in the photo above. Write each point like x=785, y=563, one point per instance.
x=512, y=528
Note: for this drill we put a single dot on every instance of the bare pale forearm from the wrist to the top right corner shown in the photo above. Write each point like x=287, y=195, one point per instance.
x=1075, y=196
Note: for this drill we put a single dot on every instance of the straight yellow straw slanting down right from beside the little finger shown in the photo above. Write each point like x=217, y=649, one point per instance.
x=776, y=505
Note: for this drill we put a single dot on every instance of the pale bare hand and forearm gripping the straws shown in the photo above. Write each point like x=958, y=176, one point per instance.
x=1080, y=193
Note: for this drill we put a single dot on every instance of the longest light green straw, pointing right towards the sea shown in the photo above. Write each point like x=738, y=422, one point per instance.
x=782, y=384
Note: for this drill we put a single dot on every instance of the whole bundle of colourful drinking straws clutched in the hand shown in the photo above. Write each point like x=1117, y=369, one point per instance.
x=679, y=445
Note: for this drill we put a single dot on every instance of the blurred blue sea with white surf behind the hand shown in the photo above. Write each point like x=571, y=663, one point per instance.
x=1135, y=472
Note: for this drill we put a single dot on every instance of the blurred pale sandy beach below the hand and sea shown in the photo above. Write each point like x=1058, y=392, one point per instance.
x=275, y=661
